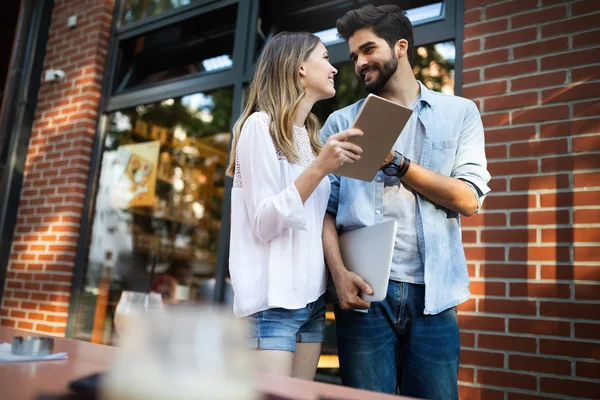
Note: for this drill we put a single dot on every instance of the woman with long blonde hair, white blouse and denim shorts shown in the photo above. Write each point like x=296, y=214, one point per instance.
x=279, y=198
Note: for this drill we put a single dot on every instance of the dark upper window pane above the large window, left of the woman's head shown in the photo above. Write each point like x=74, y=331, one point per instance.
x=201, y=44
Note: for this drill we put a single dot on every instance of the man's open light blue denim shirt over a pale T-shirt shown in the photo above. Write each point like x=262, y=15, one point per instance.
x=453, y=146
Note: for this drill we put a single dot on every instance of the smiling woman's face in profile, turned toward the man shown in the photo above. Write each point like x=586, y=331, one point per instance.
x=318, y=74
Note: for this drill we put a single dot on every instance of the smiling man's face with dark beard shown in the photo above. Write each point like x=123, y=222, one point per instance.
x=374, y=61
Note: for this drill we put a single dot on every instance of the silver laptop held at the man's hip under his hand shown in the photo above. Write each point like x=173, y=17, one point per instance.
x=368, y=252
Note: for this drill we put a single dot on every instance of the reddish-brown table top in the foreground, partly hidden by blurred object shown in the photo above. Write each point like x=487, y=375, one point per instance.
x=26, y=380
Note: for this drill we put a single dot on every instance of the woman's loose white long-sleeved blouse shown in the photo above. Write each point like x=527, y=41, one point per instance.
x=276, y=252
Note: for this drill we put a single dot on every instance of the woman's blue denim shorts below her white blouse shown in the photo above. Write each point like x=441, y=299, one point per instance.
x=280, y=328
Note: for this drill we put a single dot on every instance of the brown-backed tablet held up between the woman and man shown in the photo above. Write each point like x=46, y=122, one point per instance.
x=382, y=122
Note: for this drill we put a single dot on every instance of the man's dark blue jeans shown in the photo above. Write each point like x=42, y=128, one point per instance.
x=395, y=348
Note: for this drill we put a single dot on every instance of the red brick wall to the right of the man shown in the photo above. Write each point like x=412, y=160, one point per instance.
x=532, y=328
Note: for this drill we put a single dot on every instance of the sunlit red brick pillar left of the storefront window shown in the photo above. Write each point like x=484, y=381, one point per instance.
x=39, y=275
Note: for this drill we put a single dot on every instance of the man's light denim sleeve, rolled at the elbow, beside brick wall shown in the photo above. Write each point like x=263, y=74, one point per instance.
x=470, y=163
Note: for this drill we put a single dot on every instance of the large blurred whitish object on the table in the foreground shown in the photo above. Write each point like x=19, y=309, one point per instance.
x=182, y=353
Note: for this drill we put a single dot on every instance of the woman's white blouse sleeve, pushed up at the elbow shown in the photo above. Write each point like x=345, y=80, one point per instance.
x=270, y=207
